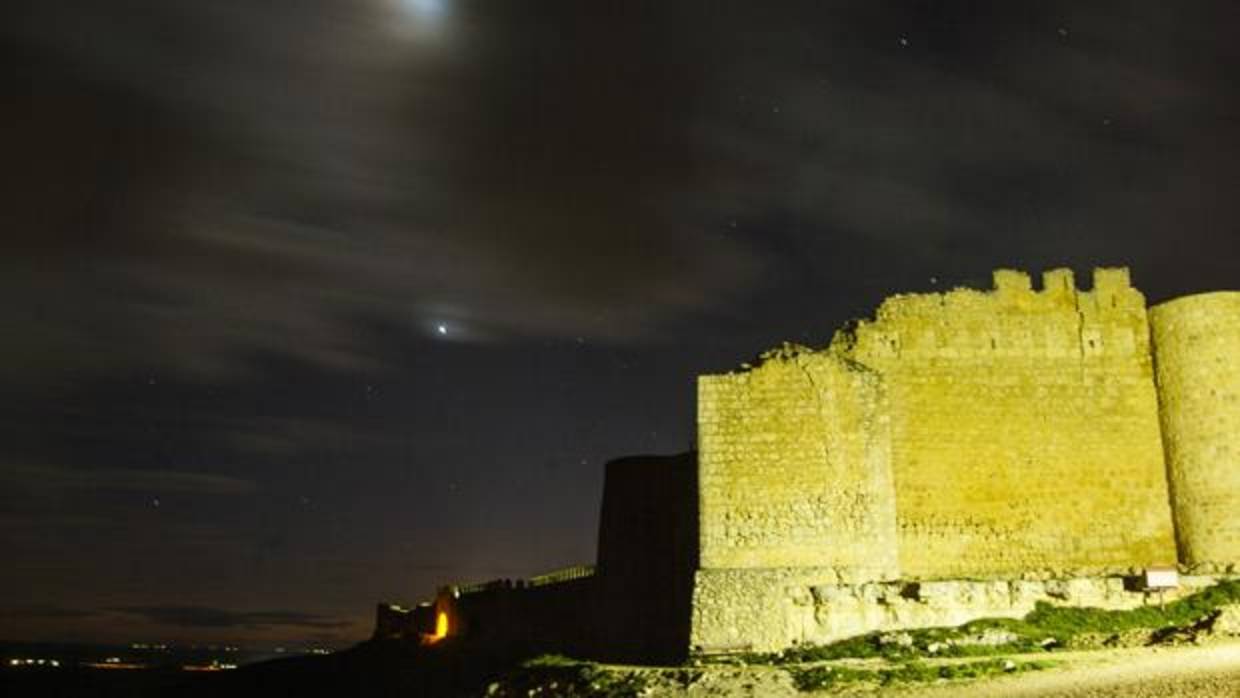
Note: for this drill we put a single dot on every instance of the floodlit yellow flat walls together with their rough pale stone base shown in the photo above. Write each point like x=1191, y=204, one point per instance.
x=990, y=448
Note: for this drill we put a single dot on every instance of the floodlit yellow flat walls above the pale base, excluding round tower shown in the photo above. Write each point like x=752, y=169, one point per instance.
x=1010, y=416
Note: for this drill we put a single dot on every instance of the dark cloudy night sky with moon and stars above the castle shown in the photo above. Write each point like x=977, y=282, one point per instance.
x=313, y=304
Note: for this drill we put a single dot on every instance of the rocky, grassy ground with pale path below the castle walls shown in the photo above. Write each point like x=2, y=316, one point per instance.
x=1200, y=659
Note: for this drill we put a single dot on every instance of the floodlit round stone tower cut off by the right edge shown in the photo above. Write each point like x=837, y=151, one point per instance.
x=1197, y=347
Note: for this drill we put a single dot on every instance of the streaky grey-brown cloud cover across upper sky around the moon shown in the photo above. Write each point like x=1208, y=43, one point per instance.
x=210, y=180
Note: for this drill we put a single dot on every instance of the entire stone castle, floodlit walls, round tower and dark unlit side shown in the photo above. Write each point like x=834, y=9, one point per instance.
x=962, y=456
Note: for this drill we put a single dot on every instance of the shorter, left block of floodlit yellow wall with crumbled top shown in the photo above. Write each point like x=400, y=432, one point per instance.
x=794, y=468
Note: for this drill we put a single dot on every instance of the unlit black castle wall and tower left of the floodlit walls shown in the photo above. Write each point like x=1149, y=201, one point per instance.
x=634, y=606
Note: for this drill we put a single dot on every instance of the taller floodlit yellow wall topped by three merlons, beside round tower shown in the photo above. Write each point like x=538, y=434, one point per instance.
x=1025, y=428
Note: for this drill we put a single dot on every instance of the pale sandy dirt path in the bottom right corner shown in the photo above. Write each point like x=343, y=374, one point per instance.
x=1176, y=673
